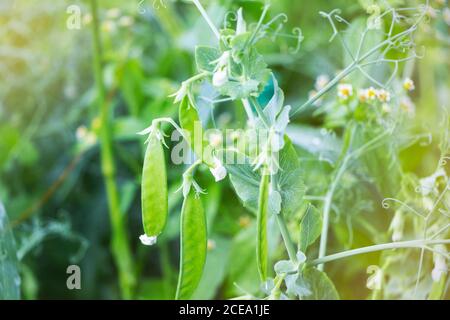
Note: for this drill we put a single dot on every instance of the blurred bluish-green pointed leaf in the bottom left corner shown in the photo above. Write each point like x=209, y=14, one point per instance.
x=9, y=275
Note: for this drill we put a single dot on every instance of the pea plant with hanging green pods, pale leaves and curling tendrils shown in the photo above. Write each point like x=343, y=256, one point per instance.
x=366, y=106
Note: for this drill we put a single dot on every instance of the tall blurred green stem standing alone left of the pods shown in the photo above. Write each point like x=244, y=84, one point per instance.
x=119, y=243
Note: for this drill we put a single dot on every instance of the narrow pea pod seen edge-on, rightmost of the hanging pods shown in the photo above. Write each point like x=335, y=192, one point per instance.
x=261, y=244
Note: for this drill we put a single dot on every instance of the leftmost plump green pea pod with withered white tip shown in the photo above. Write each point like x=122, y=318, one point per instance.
x=154, y=188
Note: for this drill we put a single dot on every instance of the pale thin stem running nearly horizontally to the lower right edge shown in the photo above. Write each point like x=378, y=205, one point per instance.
x=379, y=247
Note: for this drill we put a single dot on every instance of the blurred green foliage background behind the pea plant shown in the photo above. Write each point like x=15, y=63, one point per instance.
x=51, y=182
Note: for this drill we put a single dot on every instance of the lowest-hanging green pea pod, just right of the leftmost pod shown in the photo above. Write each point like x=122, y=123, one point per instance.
x=192, y=246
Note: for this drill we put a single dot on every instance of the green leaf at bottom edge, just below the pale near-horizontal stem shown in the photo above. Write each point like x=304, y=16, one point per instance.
x=321, y=287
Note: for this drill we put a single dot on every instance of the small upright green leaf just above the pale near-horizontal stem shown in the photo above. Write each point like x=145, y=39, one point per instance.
x=310, y=228
